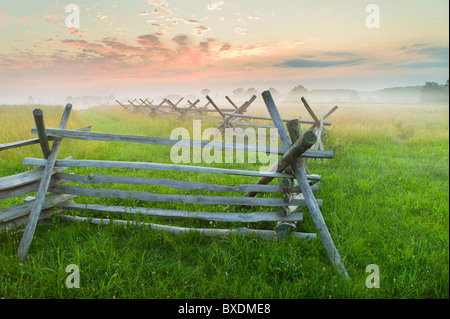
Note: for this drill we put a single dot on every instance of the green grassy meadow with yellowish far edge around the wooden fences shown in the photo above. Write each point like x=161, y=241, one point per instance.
x=385, y=200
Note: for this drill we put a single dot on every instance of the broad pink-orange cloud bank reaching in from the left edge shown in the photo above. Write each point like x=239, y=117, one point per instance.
x=145, y=56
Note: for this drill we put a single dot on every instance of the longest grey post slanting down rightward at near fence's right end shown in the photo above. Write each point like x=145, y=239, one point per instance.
x=311, y=202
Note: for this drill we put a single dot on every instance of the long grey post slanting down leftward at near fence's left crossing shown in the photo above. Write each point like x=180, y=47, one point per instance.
x=30, y=228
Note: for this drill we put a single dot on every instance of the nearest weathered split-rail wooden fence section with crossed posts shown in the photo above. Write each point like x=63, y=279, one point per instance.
x=297, y=187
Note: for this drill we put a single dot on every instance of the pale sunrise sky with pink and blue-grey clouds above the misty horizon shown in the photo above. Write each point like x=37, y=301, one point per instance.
x=183, y=46
